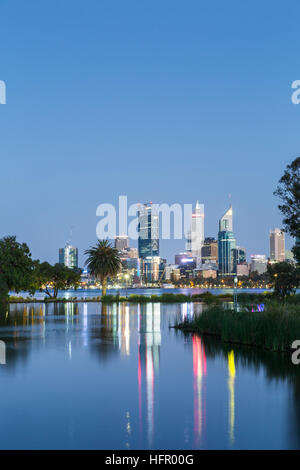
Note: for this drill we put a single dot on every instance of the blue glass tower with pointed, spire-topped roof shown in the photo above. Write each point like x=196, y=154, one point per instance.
x=226, y=244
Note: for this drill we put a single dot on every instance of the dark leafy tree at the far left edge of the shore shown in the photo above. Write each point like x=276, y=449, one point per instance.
x=16, y=267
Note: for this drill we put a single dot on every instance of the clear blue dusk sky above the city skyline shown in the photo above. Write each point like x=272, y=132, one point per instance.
x=169, y=101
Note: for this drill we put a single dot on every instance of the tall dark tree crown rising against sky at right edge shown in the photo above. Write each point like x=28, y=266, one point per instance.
x=288, y=191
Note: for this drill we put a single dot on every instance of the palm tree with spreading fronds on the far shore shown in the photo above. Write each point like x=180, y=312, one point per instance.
x=103, y=261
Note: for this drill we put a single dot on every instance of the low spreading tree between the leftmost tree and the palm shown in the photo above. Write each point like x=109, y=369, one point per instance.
x=50, y=279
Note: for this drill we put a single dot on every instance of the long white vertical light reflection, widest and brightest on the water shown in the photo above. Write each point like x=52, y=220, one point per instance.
x=149, y=340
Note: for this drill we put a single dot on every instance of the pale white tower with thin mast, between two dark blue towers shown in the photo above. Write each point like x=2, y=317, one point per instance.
x=195, y=237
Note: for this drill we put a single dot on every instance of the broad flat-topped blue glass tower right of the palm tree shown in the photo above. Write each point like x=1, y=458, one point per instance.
x=148, y=230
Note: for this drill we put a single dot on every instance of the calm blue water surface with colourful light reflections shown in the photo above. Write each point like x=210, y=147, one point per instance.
x=117, y=377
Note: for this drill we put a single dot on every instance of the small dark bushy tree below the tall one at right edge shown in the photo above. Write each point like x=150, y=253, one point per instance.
x=285, y=278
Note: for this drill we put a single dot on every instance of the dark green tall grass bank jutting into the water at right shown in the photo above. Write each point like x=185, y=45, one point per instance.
x=275, y=328
